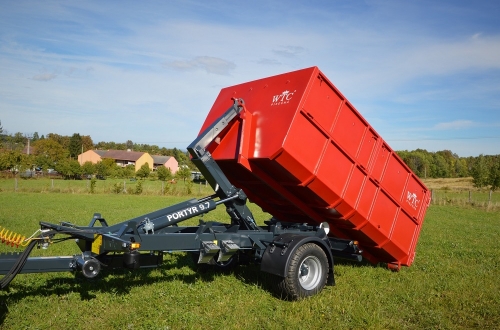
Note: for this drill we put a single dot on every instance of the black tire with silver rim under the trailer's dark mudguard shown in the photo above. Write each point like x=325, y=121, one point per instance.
x=307, y=273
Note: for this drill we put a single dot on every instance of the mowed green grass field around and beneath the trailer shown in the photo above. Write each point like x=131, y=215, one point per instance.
x=453, y=283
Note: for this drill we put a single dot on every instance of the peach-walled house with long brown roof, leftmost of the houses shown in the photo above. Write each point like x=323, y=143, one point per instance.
x=122, y=158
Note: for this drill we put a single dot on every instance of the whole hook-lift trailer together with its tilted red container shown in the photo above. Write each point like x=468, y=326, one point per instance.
x=295, y=146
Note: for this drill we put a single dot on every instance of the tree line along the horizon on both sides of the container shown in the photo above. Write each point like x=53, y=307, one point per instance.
x=60, y=152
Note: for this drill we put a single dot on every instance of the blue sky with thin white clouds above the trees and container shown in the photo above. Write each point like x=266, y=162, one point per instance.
x=425, y=74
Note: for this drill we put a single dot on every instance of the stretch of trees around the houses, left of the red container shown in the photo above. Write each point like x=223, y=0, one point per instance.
x=20, y=152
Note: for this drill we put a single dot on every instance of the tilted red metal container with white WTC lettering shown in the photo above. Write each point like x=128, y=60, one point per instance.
x=304, y=154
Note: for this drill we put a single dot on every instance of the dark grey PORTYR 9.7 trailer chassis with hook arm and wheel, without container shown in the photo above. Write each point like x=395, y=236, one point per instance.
x=299, y=255
